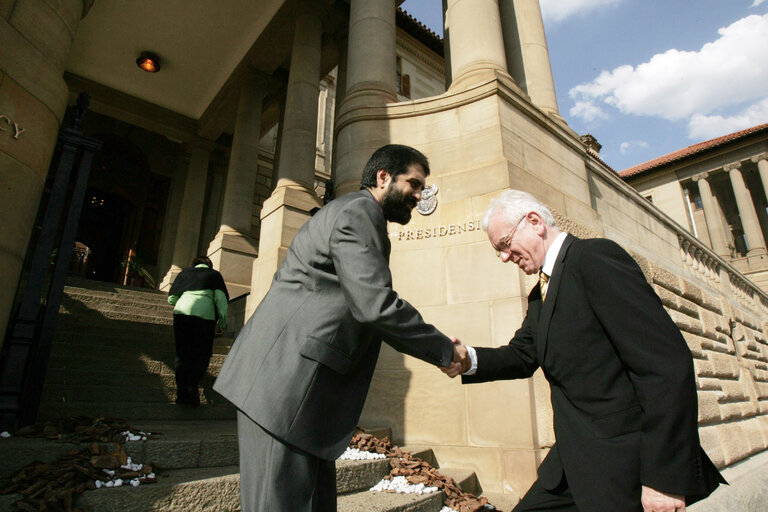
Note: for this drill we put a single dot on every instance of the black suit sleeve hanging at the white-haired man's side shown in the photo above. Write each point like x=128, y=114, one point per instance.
x=657, y=361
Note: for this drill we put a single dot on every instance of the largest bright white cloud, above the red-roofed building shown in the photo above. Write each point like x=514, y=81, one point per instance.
x=676, y=85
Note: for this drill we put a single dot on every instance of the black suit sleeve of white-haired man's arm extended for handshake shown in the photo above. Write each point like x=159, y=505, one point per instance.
x=517, y=360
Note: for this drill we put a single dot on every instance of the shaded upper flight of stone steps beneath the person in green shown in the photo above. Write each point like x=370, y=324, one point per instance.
x=113, y=355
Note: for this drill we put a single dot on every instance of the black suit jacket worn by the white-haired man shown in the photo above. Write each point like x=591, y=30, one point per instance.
x=621, y=377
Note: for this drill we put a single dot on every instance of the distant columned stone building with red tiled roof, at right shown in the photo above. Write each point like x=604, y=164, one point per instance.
x=716, y=189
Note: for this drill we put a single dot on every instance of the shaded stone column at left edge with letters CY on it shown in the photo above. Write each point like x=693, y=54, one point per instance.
x=35, y=39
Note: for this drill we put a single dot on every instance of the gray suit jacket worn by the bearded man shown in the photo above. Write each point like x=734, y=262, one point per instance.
x=302, y=364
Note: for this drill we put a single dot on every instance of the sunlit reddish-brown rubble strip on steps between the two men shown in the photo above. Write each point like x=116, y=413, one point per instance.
x=417, y=471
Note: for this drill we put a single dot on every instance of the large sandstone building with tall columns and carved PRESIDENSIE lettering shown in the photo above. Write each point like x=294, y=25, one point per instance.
x=239, y=188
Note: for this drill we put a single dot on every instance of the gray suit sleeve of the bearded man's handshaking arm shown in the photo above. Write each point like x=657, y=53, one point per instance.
x=358, y=246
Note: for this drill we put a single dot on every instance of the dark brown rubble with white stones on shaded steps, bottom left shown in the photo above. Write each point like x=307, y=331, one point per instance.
x=54, y=486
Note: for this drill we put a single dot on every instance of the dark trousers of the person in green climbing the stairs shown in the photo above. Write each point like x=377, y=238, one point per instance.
x=194, y=346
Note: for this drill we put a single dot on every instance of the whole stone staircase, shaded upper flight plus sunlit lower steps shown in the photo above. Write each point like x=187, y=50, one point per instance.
x=113, y=355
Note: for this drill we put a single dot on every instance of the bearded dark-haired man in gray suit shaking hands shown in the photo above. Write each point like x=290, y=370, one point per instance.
x=300, y=369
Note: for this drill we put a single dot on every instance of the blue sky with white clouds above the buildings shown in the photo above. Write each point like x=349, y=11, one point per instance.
x=648, y=77
